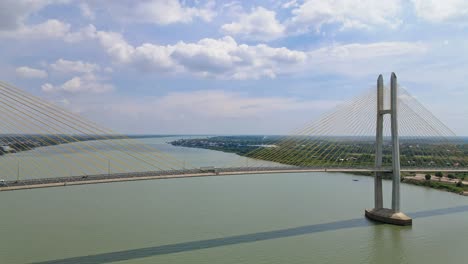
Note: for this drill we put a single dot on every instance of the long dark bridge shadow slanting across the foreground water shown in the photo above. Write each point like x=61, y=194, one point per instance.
x=239, y=239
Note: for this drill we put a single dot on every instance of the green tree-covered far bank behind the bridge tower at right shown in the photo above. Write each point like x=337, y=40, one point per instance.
x=333, y=151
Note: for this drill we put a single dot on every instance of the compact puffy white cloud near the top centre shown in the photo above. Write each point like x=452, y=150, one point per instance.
x=260, y=24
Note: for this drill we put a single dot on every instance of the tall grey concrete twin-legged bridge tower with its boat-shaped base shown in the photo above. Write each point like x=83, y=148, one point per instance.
x=379, y=213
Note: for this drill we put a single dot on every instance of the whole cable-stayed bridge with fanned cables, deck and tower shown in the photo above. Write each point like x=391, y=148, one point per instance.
x=383, y=131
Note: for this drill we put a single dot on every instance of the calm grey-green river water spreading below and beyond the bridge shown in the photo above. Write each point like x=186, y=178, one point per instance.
x=267, y=218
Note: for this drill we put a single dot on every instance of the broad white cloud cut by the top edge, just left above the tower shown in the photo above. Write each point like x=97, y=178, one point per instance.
x=360, y=14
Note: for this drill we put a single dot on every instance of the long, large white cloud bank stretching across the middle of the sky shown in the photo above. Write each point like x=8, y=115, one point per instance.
x=219, y=58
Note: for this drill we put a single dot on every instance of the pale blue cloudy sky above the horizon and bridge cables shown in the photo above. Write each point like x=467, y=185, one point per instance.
x=232, y=67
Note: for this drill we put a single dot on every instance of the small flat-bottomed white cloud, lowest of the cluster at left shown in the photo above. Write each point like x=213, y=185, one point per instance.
x=87, y=83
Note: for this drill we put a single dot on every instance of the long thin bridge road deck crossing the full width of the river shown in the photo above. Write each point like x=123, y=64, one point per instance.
x=119, y=177
